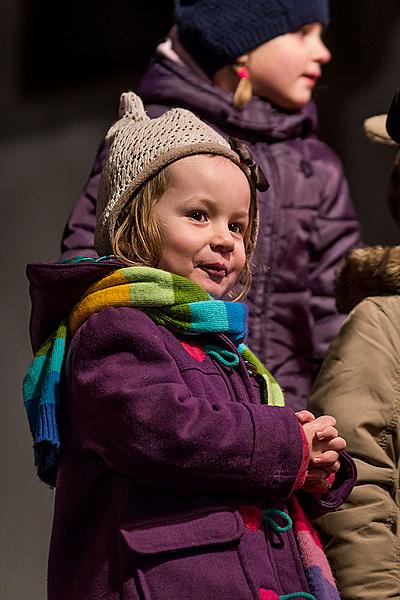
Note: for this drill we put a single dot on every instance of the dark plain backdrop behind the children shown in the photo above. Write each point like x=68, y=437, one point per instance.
x=62, y=68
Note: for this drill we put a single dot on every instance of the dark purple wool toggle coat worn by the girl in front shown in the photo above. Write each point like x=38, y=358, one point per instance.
x=164, y=453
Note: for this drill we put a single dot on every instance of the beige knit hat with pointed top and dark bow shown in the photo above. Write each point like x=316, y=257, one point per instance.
x=139, y=147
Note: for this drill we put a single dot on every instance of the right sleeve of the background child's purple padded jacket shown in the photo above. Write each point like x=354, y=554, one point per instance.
x=335, y=230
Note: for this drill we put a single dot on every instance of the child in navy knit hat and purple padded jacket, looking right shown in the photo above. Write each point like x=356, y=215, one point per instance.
x=219, y=51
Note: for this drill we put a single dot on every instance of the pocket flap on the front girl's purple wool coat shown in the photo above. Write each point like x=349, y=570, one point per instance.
x=204, y=530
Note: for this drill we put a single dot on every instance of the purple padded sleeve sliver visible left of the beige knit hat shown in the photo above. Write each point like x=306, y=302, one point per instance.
x=78, y=235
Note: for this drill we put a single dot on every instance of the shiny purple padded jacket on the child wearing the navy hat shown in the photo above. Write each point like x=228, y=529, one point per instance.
x=307, y=220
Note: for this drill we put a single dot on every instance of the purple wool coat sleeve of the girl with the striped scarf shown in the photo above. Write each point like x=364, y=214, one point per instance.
x=132, y=407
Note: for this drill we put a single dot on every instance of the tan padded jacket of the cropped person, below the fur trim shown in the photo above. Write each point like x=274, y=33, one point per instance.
x=359, y=384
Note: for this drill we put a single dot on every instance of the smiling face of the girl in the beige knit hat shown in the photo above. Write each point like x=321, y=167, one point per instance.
x=203, y=216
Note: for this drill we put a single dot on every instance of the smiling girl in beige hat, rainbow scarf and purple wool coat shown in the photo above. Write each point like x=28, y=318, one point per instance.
x=179, y=466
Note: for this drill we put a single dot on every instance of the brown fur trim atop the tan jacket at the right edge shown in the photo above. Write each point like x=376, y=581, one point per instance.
x=364, y=272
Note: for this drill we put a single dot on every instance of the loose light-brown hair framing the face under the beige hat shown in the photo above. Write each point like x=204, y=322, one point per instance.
x=137, y=239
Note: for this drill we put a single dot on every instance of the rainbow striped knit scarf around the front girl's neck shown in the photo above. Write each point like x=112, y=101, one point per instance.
x=169, y=300
